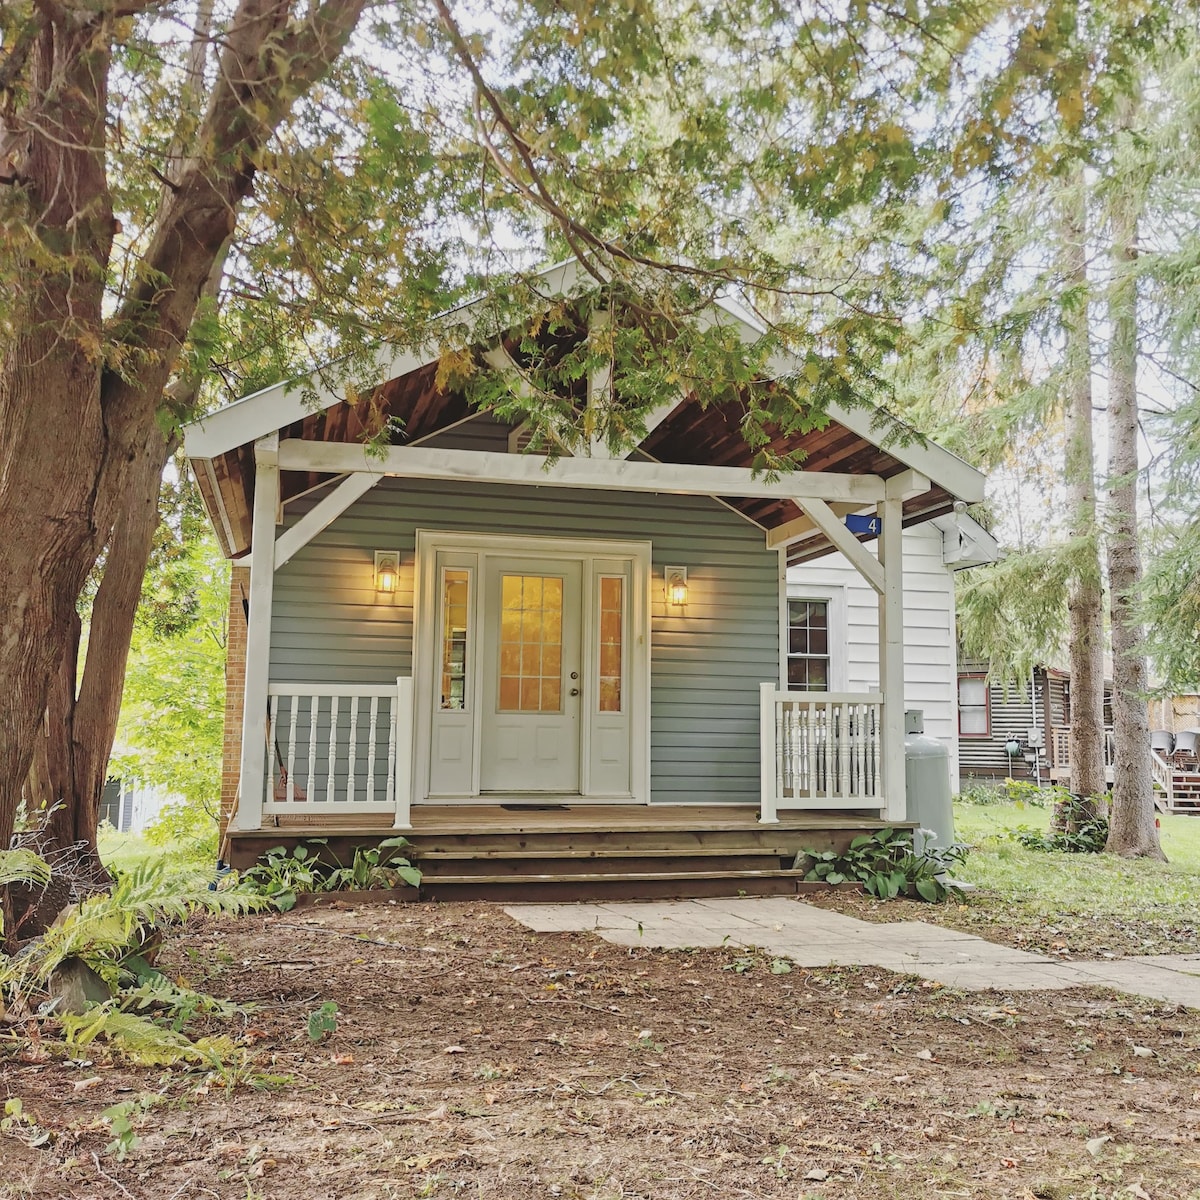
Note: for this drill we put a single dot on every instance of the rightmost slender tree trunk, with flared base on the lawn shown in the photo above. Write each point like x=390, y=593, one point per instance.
x=1133, y=830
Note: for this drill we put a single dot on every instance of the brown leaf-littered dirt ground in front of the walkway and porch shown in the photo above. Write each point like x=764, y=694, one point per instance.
x=475, y=1059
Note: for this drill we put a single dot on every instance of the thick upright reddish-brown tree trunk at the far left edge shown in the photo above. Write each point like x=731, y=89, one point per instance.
x=52, y=430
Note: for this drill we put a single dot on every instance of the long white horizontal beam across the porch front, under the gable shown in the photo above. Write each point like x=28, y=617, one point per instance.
x=616, y=476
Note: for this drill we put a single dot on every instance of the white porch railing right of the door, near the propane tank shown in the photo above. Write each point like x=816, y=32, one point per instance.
x=820, y=751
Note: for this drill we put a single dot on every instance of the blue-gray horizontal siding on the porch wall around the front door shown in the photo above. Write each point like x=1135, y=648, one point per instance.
x=328, y=626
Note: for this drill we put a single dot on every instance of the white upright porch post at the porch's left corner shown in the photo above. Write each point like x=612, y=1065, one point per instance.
x=259, y=634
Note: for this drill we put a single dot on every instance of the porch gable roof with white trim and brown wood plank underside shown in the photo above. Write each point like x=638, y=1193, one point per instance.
x=221, y=446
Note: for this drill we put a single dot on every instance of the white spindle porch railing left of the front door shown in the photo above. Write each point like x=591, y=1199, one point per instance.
x=339, y=749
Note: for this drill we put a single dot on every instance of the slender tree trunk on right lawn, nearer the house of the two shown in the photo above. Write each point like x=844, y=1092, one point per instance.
x=1085, y=603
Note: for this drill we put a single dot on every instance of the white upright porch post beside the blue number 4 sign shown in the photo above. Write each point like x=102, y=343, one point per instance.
x=891, y=599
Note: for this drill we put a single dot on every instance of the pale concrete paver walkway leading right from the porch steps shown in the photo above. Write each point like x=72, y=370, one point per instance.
x=817, y=938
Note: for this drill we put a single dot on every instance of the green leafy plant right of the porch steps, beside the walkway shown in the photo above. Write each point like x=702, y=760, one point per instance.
x=887, y=865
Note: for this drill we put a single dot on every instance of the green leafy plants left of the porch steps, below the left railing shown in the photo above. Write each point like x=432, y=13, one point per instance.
x=281, y=875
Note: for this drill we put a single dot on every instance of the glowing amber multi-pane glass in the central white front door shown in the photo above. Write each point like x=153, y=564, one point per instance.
x=531, y=676
